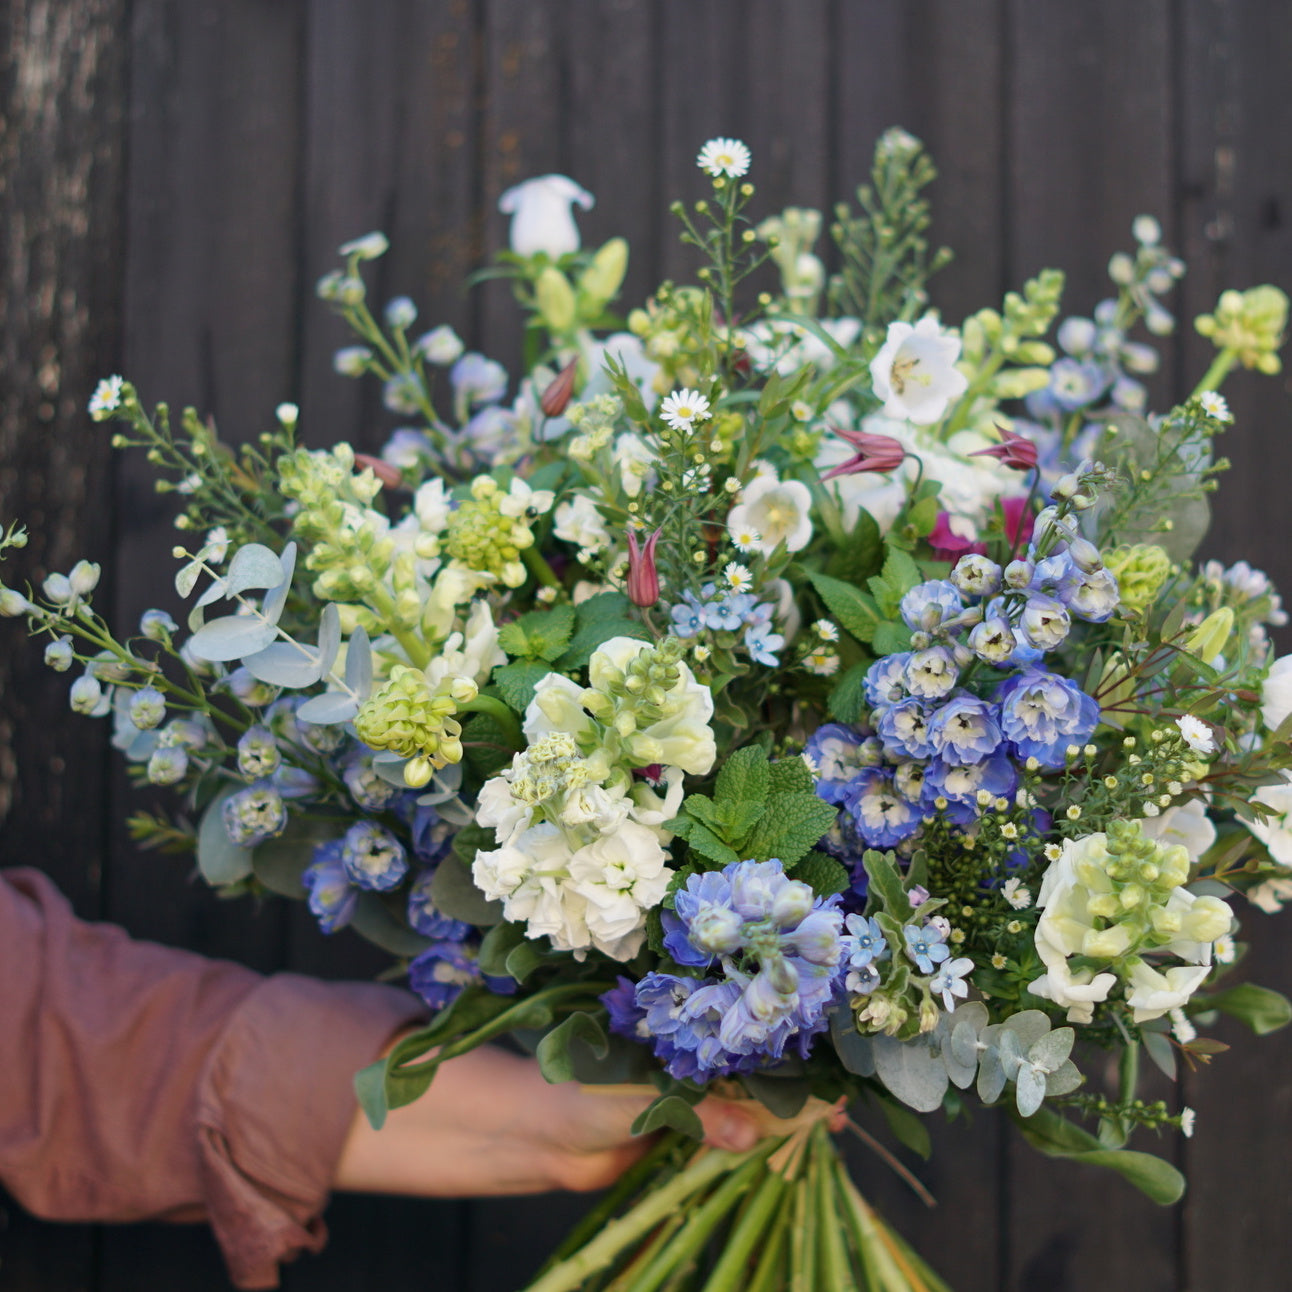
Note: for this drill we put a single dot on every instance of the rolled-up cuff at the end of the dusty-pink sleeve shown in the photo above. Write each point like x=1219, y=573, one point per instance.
x=275, y=1105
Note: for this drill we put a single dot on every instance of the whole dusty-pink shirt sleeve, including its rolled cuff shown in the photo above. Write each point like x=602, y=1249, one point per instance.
x=141, y=1082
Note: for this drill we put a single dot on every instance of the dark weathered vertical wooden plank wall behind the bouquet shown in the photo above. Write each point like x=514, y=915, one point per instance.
x=174, y=179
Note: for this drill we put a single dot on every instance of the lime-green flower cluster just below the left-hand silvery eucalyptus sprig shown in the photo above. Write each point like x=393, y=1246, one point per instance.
x=415, y=720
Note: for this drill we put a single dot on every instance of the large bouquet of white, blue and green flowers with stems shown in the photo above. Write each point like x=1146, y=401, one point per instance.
x=780, y=693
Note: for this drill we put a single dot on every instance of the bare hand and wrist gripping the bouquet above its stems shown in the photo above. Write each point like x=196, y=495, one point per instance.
x=490, y=1125
